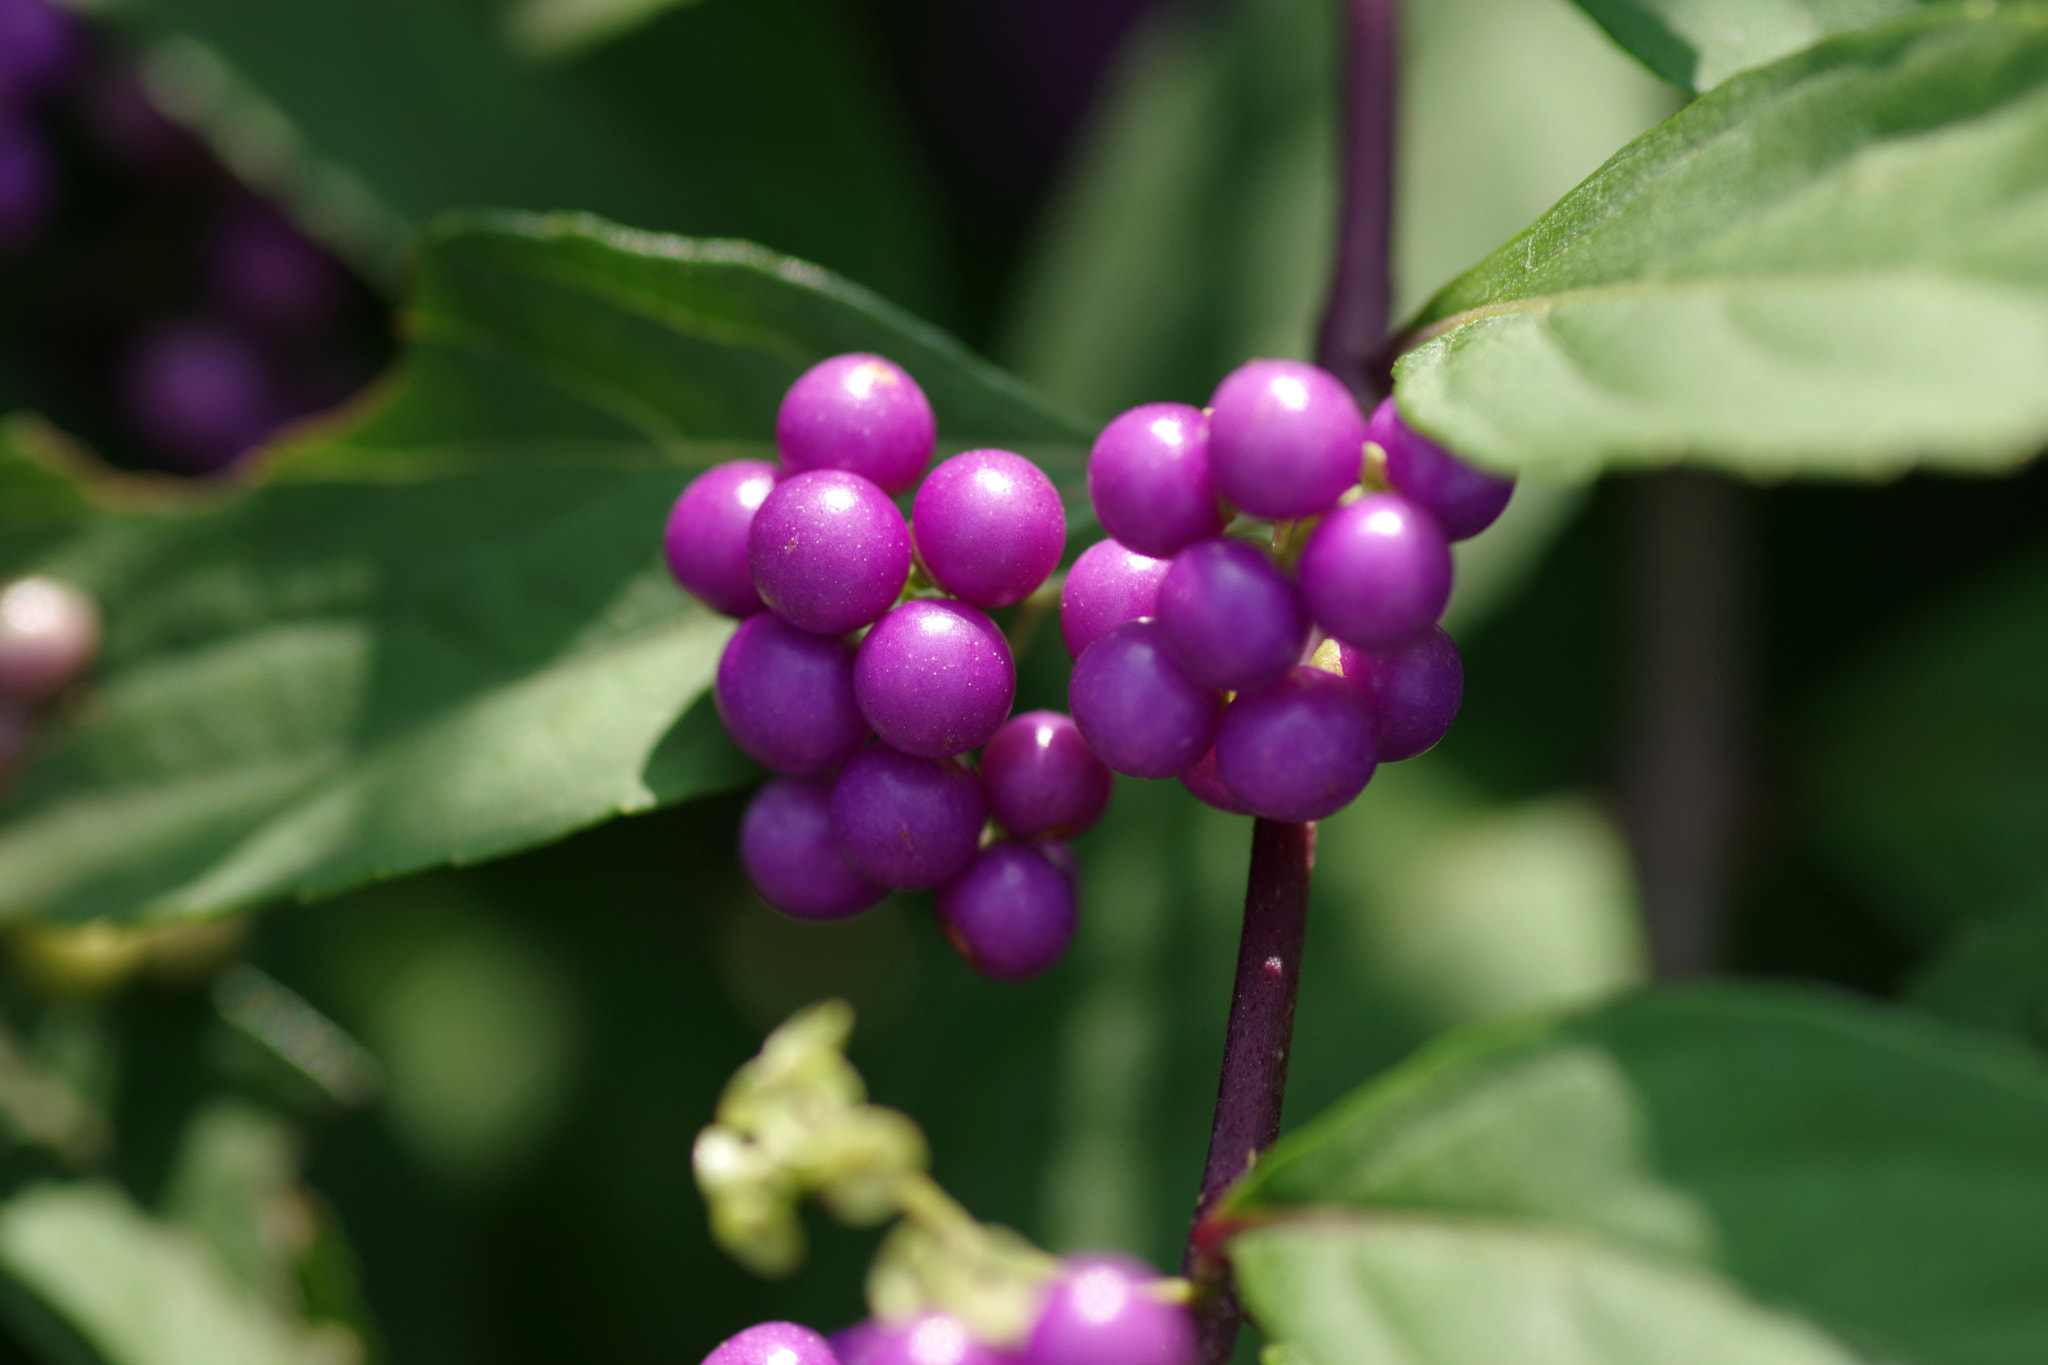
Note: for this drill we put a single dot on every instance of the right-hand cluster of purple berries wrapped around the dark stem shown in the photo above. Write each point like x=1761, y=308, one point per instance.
x=1271, y=674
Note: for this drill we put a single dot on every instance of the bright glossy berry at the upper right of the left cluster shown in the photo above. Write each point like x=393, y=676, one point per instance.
x=988, y=527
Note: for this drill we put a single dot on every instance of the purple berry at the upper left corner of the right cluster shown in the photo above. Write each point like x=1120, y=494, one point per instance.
x=1150, y=480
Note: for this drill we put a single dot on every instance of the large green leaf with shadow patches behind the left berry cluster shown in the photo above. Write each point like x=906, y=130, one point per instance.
x=329, y=685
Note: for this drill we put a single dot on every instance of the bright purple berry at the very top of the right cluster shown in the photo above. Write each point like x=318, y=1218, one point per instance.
x=1285, y=439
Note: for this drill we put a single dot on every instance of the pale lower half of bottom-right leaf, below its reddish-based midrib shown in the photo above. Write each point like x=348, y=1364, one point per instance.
x=1414, y=1292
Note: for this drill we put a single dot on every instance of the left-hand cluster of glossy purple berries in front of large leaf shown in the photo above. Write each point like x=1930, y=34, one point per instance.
x=867, y=668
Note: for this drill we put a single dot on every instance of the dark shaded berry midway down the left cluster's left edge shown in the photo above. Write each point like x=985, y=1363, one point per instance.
x=787, y=697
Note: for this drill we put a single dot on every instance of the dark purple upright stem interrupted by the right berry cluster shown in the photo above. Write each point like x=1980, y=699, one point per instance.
x=1351, y=345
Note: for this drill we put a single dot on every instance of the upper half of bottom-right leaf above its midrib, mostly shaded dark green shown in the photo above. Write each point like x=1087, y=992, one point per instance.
x=1877, y=1172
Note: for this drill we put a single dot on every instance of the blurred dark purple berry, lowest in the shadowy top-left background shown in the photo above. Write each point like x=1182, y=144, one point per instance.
x=200, y=396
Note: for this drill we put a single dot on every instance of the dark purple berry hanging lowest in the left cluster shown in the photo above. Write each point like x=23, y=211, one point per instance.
x=1011, y=916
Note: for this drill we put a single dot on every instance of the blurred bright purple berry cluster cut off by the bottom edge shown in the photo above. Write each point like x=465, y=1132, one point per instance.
x=1101, y=1311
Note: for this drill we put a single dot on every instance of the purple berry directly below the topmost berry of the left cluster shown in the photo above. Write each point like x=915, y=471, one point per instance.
x=828, y=552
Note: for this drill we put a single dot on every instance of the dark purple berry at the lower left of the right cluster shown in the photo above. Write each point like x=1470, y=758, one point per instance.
x=1140, y=713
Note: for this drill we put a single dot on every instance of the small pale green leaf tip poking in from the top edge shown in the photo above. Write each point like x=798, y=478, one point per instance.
x=1699, y=44
